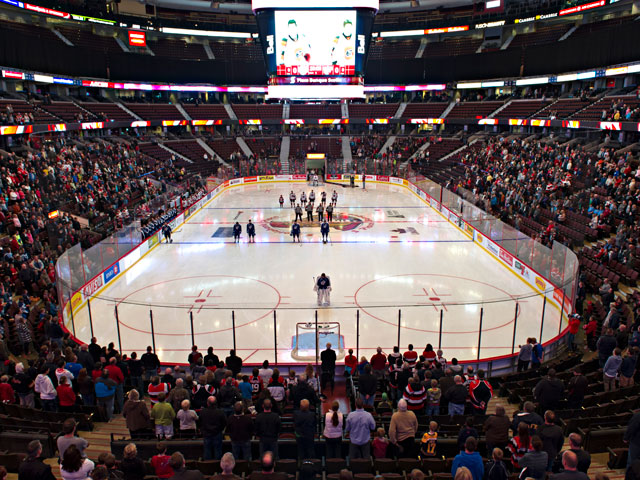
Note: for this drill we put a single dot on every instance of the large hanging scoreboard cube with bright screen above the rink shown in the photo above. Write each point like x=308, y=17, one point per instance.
x=316, y=48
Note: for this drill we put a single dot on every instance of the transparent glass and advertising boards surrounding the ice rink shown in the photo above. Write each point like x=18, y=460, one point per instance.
x=551, y=274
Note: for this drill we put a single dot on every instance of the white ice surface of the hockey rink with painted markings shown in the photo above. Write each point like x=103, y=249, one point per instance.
x=389, y=253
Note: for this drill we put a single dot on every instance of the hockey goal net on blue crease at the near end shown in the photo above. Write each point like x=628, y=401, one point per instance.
x=305, y=340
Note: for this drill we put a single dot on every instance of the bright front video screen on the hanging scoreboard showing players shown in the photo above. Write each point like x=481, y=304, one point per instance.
x=315, y=42
